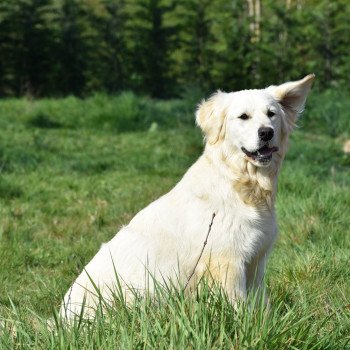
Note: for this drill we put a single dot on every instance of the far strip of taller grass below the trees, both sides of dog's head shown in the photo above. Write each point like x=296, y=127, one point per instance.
x=326, y=113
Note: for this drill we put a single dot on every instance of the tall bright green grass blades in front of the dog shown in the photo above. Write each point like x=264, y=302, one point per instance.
x=175, y=320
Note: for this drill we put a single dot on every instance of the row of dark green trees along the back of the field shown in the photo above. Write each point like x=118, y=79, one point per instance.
x=161, y=47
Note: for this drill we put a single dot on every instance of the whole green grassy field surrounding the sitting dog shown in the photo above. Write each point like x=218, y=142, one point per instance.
x=73, y=171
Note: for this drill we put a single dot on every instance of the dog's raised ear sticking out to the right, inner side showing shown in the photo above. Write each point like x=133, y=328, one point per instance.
x=292, y=95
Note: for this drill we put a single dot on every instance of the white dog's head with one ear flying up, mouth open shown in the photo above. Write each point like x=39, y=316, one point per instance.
x=254, y=122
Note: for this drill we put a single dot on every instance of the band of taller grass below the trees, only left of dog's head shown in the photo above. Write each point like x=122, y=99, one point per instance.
x=124, y=112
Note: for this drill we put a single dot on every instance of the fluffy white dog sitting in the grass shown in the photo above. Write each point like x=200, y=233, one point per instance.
x=246, y=135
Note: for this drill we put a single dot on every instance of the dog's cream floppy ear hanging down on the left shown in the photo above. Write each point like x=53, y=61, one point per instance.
x=210, y=117
